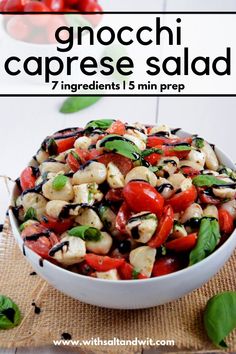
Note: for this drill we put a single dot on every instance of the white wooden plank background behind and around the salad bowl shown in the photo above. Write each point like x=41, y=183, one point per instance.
x=26, y=121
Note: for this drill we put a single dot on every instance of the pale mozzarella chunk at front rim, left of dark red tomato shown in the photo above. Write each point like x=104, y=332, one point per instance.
x=142, y=259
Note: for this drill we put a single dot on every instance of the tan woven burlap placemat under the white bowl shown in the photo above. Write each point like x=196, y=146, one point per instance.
x=180, y=320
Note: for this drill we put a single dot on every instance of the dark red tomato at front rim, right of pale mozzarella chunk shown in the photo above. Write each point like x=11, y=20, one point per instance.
x=166, y=265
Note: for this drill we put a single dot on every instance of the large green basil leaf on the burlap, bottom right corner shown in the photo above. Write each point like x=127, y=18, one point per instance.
x=220, y=317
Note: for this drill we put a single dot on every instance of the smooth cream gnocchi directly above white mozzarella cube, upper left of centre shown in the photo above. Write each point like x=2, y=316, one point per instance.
x=94, y=172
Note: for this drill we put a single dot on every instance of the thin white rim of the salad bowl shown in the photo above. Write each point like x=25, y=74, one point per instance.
x=178, y=273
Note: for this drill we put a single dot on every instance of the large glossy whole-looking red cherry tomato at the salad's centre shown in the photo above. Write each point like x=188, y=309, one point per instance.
x=141, y=196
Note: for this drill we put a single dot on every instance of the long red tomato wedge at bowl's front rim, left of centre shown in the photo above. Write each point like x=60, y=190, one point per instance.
x=103, y=263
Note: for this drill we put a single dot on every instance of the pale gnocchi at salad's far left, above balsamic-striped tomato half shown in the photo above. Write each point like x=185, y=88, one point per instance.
x=36, y=201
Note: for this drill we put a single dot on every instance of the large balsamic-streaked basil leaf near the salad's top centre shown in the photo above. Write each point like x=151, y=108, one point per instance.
x=121, y=146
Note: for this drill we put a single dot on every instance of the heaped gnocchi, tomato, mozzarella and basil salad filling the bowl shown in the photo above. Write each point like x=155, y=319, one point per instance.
x=125, y=201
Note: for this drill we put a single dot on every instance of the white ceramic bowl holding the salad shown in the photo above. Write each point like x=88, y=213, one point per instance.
x=131, y=294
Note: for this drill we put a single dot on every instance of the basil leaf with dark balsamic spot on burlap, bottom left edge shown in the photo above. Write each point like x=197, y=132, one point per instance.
x=9, y=313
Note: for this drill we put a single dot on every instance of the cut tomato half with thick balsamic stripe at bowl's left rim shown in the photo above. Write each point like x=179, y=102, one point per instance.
x=39, y=244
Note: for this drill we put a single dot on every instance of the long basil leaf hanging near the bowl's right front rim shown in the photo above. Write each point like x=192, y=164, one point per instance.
x=208, y=238
